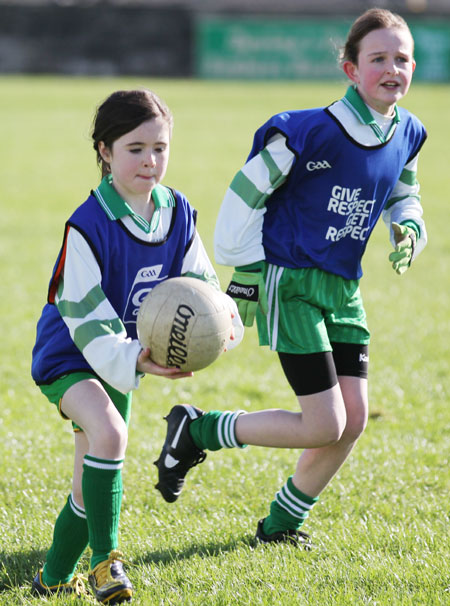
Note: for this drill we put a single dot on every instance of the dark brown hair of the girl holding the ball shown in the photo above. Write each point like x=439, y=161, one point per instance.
x=122, y=112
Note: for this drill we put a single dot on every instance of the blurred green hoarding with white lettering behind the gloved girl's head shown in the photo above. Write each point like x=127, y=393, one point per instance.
x=268, y=48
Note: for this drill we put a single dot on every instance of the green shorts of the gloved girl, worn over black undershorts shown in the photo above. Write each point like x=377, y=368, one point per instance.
x=309, y=309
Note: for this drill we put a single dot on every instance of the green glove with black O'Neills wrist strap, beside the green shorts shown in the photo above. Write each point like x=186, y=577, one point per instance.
x=247, y=288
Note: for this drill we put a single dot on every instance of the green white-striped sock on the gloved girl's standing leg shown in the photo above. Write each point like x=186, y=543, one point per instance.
x=289, y=509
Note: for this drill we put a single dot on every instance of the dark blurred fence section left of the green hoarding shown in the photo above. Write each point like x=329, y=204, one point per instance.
x=96, y=39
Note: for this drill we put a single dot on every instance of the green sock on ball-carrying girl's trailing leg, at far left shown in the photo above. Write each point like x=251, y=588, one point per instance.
x=70, y=539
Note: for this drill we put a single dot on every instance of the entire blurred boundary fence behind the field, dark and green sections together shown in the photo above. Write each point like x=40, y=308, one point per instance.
x=204, y=38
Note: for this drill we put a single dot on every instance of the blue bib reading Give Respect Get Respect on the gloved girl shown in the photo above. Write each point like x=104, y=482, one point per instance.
x=325, y=212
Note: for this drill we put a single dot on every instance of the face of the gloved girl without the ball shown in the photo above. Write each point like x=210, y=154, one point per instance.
x=385, y=68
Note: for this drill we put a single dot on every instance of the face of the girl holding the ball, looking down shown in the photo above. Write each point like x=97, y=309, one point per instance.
x=138, y=160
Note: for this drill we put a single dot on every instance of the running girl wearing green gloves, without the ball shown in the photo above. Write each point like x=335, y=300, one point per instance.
x=295, y=222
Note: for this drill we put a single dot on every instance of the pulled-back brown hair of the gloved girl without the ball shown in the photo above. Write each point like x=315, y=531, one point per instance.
x=374, y=18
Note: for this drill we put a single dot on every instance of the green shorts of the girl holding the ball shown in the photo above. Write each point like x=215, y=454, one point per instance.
x=55, y=391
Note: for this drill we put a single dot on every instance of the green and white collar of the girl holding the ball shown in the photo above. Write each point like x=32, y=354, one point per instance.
x=115, y=206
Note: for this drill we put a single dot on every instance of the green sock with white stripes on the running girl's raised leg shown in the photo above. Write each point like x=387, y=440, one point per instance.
x=215, y=430
